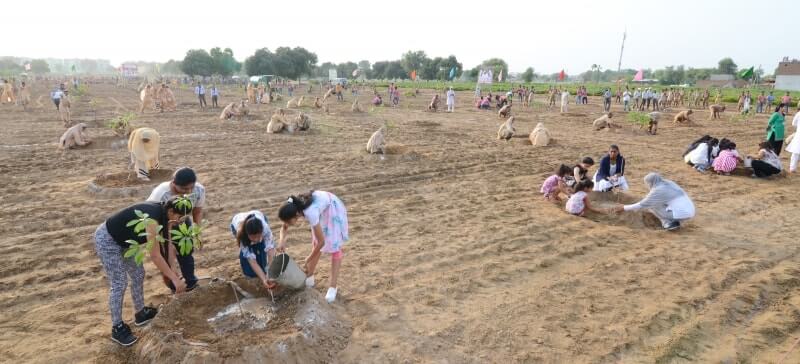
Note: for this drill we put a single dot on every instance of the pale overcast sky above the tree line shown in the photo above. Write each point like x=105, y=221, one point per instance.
x=568, y=34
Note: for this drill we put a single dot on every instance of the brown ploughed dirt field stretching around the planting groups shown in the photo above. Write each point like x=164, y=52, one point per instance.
x=454, y=257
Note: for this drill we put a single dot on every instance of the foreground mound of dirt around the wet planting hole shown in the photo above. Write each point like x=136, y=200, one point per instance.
x=208, y=326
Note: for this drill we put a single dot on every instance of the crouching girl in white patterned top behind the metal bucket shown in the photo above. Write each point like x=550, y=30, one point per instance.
x=256, y=246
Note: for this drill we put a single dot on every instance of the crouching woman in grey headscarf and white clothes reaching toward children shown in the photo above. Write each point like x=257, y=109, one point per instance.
x=668, y=201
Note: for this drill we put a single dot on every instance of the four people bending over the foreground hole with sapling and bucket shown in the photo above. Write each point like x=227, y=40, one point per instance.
x=179, y=203
